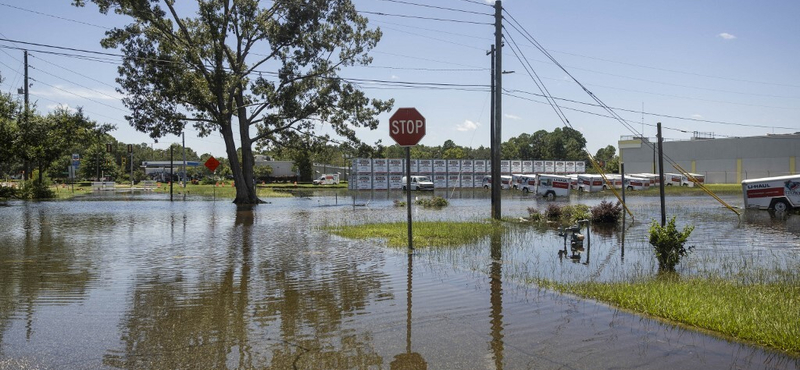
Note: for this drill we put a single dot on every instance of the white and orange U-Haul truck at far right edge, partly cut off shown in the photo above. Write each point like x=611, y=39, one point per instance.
x=780, y=193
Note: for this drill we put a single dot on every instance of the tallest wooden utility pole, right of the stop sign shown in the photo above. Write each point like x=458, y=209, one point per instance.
x=498, y=108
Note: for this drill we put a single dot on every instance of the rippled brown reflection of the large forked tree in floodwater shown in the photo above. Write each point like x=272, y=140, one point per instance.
x=291, y=313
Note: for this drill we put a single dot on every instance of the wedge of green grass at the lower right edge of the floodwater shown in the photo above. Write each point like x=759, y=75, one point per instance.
x=767, y=314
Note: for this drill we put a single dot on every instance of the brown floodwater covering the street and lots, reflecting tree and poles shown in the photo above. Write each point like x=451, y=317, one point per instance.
x=139, y=282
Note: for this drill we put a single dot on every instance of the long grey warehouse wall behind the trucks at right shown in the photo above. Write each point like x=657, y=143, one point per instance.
x=729, y=160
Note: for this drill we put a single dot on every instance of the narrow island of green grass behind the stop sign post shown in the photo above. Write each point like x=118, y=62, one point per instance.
x=425, y=233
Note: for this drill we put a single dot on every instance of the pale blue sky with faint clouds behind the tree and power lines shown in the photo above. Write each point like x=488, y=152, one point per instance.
x=701, y=68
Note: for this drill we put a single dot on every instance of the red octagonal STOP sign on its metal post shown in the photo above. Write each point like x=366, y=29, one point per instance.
x=407, y=128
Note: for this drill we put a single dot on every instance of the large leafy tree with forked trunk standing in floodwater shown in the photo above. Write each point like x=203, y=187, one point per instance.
x=269, y=71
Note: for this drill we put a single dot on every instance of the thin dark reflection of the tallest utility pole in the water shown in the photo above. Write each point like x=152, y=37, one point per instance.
x=496, y=299
